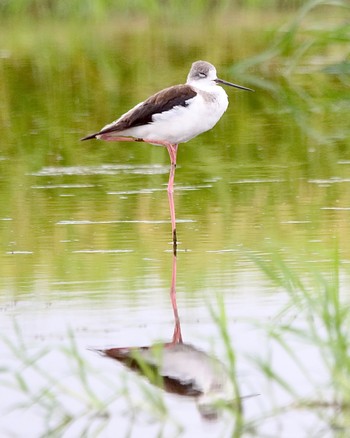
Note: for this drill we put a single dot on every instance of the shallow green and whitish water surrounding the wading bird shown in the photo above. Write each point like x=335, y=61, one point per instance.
x=86, y=245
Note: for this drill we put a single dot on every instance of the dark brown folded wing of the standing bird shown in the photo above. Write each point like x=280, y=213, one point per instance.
x=160, y=102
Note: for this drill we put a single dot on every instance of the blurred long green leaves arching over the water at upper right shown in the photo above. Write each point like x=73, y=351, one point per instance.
x=312, y=45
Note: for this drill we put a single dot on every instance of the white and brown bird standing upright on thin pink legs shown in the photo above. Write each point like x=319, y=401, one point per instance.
x=172, y=116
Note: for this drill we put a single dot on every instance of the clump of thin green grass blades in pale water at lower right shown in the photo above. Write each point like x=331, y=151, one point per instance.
x=316, y=315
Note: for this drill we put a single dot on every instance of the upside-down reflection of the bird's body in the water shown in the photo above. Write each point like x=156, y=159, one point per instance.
x=181, y=369
